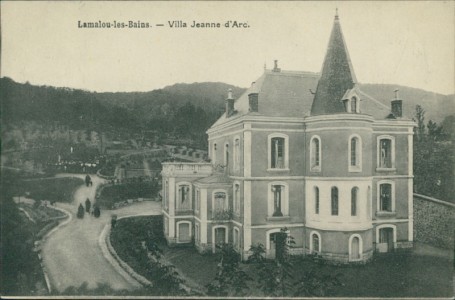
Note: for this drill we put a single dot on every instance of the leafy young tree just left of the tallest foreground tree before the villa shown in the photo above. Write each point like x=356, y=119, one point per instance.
x=230, y=279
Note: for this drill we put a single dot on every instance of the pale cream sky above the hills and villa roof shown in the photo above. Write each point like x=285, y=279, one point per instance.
x=407, y=43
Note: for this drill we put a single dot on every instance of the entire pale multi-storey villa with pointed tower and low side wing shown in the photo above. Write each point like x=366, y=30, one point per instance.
x=306, y=151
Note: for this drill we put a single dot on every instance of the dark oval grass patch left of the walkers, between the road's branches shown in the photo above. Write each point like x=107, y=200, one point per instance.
x=52, y=189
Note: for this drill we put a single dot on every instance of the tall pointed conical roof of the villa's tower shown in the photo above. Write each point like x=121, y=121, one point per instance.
x=337, y=75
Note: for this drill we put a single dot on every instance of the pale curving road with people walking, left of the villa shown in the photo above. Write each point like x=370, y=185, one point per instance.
x=72, y=254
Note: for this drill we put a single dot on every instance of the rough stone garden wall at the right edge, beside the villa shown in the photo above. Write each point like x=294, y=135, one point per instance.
x=434, y=222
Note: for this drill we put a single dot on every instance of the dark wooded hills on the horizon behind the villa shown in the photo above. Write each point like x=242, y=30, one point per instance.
x=179, y=109
